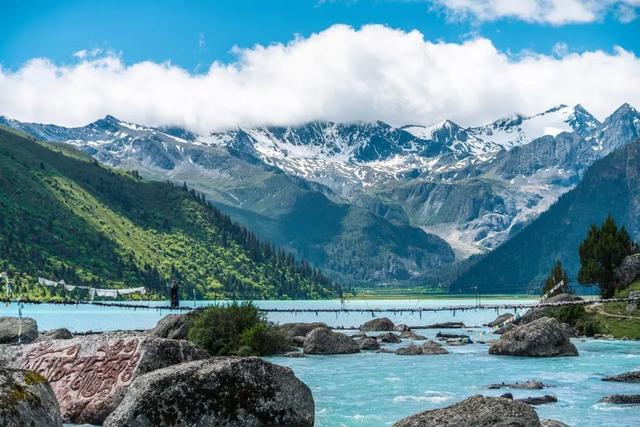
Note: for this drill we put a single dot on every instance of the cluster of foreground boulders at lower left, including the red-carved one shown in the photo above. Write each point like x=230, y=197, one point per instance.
x=144, y=379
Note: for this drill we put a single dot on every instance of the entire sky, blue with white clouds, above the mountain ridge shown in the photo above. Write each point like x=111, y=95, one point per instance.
x=213, y=65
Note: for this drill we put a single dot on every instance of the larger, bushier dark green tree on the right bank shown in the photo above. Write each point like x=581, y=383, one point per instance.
x=601, y=252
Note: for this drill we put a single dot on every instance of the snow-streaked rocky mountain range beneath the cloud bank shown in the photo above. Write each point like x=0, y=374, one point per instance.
x=371, y=202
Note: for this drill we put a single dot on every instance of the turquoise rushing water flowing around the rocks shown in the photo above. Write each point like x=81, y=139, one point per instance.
x=370, y=389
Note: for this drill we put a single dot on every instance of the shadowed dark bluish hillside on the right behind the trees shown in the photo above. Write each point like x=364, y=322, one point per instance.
x=611, y=186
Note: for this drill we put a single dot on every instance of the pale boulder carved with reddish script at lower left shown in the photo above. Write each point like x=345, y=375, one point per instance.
x=90, y=374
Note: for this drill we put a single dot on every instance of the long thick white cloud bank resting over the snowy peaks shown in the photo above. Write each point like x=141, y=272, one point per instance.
x=342, y=74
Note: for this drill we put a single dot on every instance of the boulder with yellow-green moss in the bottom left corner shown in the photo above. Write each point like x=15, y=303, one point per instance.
x=26, y=399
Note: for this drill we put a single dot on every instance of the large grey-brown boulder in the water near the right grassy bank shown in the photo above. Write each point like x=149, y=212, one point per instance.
x=544, y=337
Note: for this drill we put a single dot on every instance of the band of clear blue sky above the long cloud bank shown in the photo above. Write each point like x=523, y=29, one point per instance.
x=195, y=33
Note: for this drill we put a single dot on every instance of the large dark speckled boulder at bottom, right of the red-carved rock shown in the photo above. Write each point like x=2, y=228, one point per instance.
x=217, y=392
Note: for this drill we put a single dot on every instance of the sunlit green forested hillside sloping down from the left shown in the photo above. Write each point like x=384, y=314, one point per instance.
x=63, y=216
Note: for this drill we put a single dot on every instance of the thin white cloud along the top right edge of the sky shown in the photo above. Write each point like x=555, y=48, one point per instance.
x=554, y=12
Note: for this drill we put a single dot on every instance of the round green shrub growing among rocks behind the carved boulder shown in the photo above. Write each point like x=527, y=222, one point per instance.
x=235, y=329
